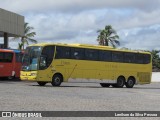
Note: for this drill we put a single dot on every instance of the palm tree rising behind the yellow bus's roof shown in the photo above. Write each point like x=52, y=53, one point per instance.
x=108, y=35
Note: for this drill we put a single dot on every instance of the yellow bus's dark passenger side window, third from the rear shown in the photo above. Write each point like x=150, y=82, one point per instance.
x=129, y=57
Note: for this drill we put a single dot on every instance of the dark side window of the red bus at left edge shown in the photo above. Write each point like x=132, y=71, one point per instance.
x=6, y=57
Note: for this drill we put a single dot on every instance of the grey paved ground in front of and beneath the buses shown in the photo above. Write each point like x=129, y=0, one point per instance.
x=28, y=96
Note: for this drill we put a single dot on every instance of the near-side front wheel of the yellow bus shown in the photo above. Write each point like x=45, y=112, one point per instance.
x=56, y=80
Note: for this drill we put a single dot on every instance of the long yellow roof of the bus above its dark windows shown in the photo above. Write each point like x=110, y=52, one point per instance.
x=90, y=46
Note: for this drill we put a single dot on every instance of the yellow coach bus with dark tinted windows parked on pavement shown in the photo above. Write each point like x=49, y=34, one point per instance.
x=57, y=63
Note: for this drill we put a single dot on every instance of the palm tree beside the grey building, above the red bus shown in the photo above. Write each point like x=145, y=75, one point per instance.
x=27, y=36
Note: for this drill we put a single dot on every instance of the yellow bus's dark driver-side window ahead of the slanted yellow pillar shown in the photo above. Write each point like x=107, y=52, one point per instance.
x=48, y=51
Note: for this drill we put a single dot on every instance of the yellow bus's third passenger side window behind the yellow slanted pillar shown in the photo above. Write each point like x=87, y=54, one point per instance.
x=91, y=54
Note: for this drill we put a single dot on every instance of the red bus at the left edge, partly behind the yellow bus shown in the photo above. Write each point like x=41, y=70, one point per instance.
x=10, y=63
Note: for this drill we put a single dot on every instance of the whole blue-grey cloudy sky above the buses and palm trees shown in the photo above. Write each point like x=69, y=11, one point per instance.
x=137, y=22
